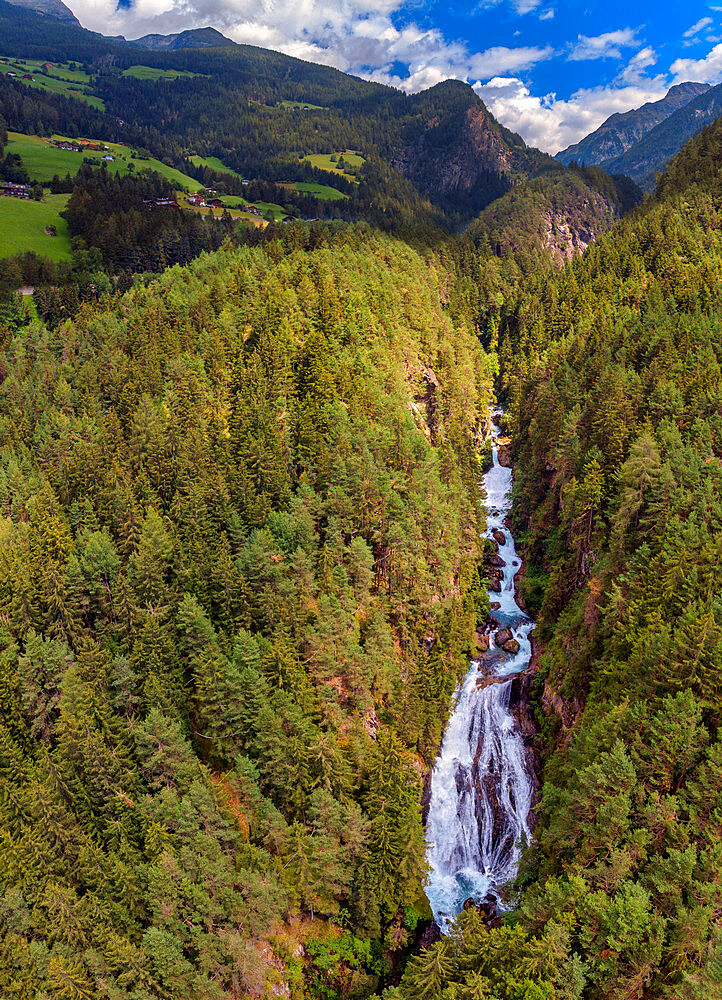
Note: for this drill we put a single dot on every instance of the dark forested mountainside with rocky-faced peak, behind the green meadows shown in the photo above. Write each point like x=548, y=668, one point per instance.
x=437, y=157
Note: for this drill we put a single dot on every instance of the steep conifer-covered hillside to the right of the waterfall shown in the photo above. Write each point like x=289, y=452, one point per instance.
x=611, y=371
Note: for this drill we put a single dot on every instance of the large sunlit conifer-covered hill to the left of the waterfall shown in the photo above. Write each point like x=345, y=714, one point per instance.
x=239, y=578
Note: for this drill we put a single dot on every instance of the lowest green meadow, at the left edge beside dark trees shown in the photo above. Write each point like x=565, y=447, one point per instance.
x=22, y=224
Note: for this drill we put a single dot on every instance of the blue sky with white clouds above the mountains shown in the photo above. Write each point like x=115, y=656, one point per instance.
x=552, y=70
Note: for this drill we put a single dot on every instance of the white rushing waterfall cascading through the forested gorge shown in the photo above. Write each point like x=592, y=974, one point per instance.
x=481, y=791
